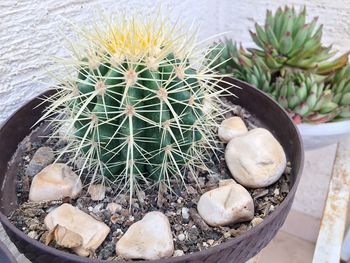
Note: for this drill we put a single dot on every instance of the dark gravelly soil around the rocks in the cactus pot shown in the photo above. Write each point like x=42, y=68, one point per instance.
x=190, y=232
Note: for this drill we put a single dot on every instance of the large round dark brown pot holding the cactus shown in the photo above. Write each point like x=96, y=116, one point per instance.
x=239, y=249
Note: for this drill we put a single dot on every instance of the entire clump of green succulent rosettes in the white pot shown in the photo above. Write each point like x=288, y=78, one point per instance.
x=291, y=65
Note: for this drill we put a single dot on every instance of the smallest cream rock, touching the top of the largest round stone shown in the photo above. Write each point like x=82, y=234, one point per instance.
x=231, y=128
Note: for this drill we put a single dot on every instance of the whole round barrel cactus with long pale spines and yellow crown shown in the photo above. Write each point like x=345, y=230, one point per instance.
x=142, y=105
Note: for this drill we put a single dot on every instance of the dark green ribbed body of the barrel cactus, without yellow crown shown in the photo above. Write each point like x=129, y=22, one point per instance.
x=140, y=128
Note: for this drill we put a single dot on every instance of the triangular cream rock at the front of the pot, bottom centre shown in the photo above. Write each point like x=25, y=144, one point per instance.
x=149, y=238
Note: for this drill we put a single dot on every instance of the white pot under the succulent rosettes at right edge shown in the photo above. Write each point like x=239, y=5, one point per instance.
x=319, y=135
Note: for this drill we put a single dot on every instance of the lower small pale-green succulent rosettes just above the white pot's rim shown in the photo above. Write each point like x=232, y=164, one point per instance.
x=311, y=98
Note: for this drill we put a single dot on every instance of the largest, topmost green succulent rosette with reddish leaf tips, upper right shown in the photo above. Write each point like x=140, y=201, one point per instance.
x=286, y=40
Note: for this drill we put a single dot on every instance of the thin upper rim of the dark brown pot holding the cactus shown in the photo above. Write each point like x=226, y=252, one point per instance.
x=212, y=250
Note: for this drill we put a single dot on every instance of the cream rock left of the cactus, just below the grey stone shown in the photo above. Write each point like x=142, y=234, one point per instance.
x=55, y=182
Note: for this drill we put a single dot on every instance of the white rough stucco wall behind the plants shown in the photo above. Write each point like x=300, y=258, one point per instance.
x=28, y=32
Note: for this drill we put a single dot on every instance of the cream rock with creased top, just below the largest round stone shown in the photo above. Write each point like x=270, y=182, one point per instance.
x=226, y=205
